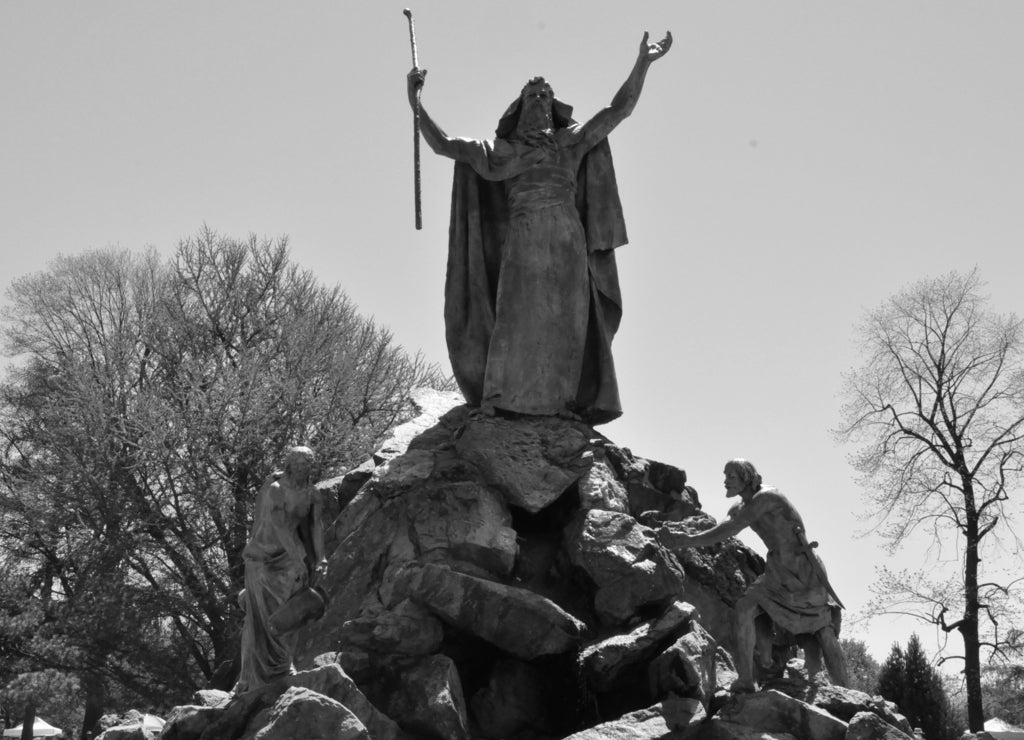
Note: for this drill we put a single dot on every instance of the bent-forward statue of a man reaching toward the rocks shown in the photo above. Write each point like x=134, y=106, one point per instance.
x=794, y=591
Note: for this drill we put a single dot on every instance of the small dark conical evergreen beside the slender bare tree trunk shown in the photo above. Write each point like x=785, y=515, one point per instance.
x=909, y=679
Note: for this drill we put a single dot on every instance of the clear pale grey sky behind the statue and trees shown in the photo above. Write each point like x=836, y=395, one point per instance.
x=789, y=167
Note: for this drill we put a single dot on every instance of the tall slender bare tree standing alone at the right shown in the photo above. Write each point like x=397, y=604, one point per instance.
x=937, y=409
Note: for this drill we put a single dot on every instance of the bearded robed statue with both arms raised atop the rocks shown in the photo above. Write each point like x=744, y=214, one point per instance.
x=532, y=297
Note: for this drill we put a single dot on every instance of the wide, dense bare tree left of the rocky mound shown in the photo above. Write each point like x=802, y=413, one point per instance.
x=150, y=401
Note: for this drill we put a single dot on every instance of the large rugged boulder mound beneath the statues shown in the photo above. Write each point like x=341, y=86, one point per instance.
x=497, y=578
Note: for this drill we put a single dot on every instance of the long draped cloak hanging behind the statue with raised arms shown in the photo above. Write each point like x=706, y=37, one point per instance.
x=479, y=251
